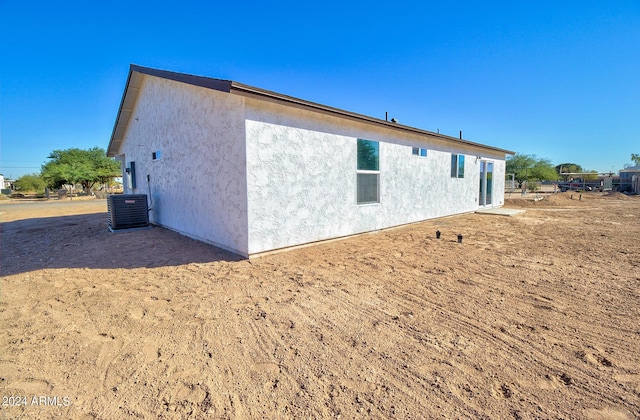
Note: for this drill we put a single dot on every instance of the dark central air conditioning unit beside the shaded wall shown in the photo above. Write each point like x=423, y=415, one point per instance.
x=127, y=211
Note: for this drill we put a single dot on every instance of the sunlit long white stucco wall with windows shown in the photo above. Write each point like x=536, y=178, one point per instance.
x=301, y=174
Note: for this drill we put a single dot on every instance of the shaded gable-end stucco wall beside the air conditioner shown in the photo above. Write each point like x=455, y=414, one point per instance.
x=198, y=185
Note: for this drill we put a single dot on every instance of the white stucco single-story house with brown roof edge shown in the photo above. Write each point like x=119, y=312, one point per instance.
x=252, y=171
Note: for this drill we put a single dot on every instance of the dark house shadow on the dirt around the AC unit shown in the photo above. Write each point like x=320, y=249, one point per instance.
x=84, y=241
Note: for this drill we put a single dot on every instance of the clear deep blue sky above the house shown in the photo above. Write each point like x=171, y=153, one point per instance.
x=558, y=79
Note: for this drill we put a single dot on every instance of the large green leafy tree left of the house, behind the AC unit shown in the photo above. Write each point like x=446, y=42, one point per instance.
x=78, y=166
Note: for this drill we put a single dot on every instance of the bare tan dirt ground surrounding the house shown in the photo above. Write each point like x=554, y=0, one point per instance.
x=531, y=316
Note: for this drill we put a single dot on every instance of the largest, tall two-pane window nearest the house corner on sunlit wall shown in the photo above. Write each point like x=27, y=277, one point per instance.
x=368, y=172
